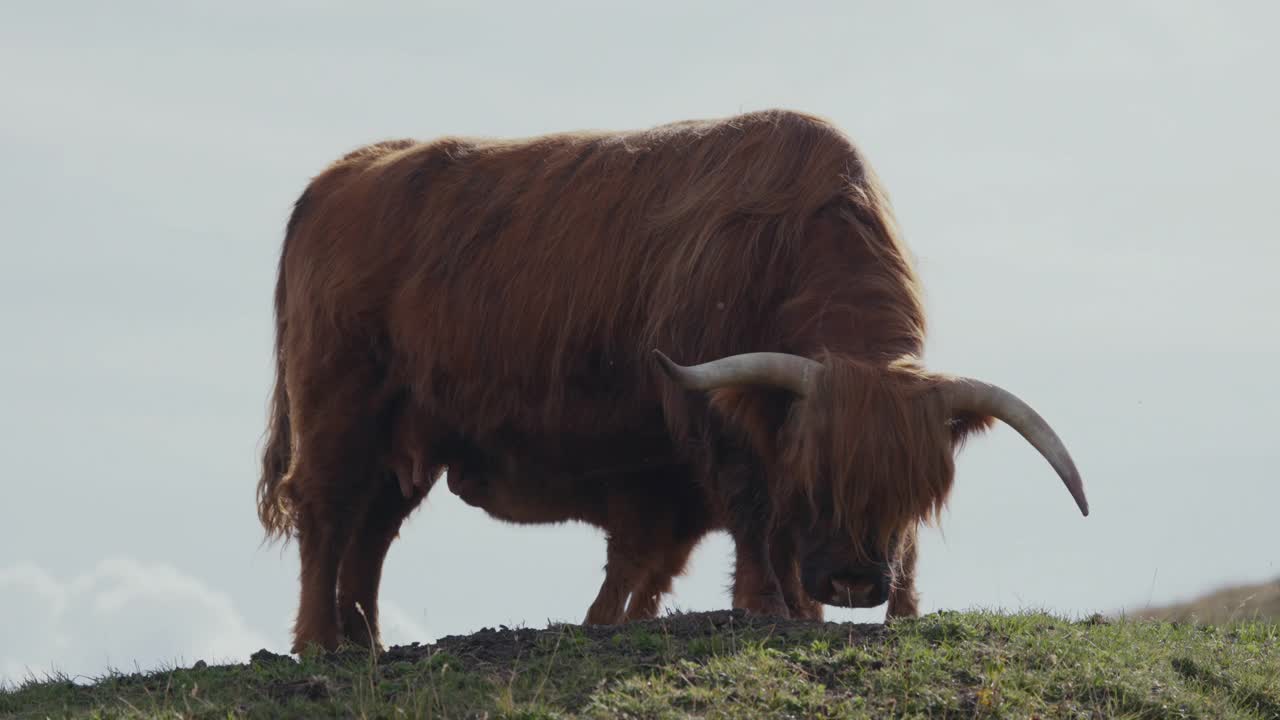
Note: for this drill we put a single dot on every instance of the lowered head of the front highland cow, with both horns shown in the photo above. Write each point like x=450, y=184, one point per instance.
x=865, y=454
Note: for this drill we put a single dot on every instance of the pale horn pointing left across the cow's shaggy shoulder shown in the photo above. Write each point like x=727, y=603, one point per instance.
x=775, y=370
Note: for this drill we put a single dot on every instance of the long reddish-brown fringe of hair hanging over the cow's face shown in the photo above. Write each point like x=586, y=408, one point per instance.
x=871, y=452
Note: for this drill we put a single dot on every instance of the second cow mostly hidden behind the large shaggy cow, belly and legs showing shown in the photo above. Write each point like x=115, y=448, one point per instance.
x=653, y=518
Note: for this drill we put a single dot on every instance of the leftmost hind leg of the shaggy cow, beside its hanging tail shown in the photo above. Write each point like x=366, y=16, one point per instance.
x=335, y=409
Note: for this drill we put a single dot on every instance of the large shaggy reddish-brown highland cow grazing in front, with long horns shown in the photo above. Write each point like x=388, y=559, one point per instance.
x=519, y=291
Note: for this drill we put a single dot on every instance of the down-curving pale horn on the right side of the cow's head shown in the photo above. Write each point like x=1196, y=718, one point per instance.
x=977, y=397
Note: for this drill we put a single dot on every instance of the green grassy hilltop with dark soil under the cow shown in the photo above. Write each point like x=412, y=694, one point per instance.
x=725, y=666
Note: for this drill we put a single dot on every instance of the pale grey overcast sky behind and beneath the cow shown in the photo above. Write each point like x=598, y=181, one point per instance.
x=1091, y=193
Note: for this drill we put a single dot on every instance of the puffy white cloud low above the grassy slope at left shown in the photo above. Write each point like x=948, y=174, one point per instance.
x=122, y=614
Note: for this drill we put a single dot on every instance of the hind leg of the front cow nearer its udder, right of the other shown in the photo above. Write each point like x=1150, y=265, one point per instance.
x=362, y=568
